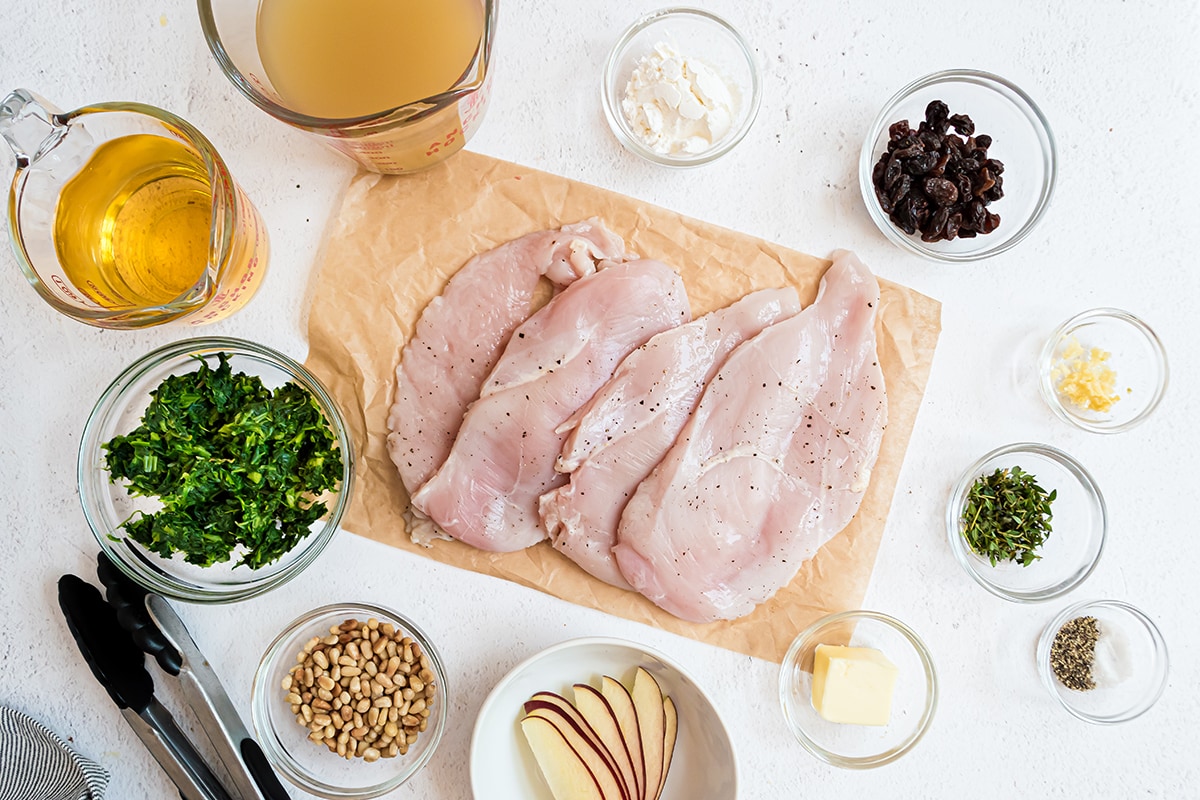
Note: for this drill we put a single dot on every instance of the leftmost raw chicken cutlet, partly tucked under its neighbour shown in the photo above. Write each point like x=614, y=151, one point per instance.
x=463, y=333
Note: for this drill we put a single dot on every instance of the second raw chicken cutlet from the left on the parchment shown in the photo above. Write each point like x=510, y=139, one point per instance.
x=487, y=492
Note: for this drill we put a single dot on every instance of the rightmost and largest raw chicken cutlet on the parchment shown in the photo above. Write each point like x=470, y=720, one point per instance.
x=773, y=464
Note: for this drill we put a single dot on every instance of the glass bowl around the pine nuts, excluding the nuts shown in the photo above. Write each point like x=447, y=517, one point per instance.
x=313, y=767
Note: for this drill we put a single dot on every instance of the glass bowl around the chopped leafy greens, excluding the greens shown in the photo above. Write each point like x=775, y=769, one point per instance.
x=107, y=506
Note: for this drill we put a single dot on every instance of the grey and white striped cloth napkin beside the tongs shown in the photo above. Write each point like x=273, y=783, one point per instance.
x=37, y=765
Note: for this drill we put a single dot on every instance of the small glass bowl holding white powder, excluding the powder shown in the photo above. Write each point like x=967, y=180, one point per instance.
x=695, y=34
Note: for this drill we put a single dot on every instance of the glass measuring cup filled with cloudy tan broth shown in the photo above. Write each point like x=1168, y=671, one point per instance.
x=398, y=86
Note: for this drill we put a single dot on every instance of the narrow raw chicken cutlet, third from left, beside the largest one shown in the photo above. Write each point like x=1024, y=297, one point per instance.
x=623, y=432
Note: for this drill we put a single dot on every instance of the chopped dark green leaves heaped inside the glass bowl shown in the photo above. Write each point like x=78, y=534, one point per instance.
x=233, y=465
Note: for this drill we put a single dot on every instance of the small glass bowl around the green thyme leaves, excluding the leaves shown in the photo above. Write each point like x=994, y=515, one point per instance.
x=1079, y=526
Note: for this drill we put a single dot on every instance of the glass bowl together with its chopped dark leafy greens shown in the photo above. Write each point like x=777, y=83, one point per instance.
x=214, y=470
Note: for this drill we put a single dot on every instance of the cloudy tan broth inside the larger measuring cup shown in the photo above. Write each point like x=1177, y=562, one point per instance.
x=341, y=59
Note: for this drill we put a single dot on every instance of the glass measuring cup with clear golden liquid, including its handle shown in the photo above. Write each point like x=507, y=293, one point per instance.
x=124, y=216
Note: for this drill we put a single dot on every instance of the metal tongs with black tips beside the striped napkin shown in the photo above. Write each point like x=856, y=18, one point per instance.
x=115, y=636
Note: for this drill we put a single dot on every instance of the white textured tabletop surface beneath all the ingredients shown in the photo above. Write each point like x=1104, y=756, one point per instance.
x=1119, y=83
